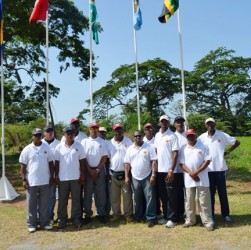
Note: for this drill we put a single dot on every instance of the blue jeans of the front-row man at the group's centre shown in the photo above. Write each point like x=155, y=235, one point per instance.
x=141, y=189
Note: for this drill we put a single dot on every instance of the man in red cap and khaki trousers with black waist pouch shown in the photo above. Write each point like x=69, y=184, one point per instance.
x=117, y=169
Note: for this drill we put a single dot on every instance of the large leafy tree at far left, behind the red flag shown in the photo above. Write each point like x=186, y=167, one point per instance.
x=24, y=54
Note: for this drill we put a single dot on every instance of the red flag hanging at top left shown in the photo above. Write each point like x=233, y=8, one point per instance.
x=39, y=11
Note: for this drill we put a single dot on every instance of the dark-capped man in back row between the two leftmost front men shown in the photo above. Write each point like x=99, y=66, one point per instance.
x=50, y=139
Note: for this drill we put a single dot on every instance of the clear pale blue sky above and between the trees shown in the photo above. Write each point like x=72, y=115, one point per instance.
x=205, y=26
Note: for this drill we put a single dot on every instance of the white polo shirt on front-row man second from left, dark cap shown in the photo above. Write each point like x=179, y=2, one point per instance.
x=68, y=157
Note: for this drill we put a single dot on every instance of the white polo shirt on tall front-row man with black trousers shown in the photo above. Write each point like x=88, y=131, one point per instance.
x=165, y=144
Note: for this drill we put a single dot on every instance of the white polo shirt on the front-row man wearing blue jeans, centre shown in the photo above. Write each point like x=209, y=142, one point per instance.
x=140, y=160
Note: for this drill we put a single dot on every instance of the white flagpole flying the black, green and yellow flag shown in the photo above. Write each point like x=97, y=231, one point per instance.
x=182, y=68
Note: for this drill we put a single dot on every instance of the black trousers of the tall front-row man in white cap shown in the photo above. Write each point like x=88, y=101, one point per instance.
x=168, y=195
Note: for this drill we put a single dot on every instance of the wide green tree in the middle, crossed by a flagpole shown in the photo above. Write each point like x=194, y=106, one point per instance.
x=158, y=82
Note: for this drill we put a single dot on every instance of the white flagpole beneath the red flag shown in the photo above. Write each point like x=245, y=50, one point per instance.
x=47, y=68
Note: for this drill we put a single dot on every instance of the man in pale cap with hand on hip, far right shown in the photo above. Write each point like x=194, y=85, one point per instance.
x=217, y=141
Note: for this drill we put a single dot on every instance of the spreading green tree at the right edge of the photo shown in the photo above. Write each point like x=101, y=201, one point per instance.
x=220, y=86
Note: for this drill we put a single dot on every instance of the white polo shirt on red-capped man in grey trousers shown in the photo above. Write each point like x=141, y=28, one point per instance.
x=95, y=149
